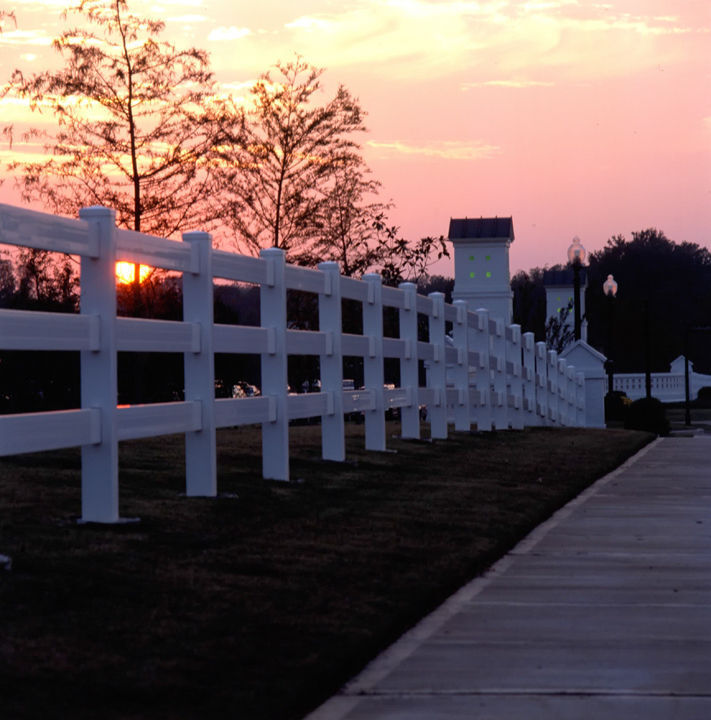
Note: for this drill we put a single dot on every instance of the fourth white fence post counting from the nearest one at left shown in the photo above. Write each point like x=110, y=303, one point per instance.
x=333, y=445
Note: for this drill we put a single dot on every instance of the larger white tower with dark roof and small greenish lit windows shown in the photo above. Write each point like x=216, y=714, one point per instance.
x=481, y=264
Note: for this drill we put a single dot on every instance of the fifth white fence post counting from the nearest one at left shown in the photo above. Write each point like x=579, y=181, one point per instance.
x=373, y=368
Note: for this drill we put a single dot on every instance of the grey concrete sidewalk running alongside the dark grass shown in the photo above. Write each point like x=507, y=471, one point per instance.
x=603, y=612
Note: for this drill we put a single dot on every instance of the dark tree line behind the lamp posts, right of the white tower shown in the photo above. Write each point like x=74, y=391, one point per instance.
x=664, y=289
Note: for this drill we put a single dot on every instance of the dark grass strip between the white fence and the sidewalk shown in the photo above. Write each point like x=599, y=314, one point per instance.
x=262, y=602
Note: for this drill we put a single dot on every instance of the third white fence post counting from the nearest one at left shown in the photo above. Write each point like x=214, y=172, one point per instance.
x=275, y=433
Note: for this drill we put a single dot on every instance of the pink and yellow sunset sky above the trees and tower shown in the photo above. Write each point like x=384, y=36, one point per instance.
x=575, y=117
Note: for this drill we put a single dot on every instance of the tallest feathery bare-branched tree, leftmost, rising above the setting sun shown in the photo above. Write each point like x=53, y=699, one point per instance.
x=131, y=126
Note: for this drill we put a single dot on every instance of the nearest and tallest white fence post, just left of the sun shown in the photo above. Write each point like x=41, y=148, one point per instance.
x=99, y=384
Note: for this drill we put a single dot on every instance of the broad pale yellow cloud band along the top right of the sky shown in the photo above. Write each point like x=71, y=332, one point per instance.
x=433, y=38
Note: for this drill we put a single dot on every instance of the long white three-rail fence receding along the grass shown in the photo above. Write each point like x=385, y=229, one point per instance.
x=485, y=373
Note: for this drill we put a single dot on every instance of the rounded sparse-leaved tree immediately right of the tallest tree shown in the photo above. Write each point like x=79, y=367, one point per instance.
x=280, y=157
